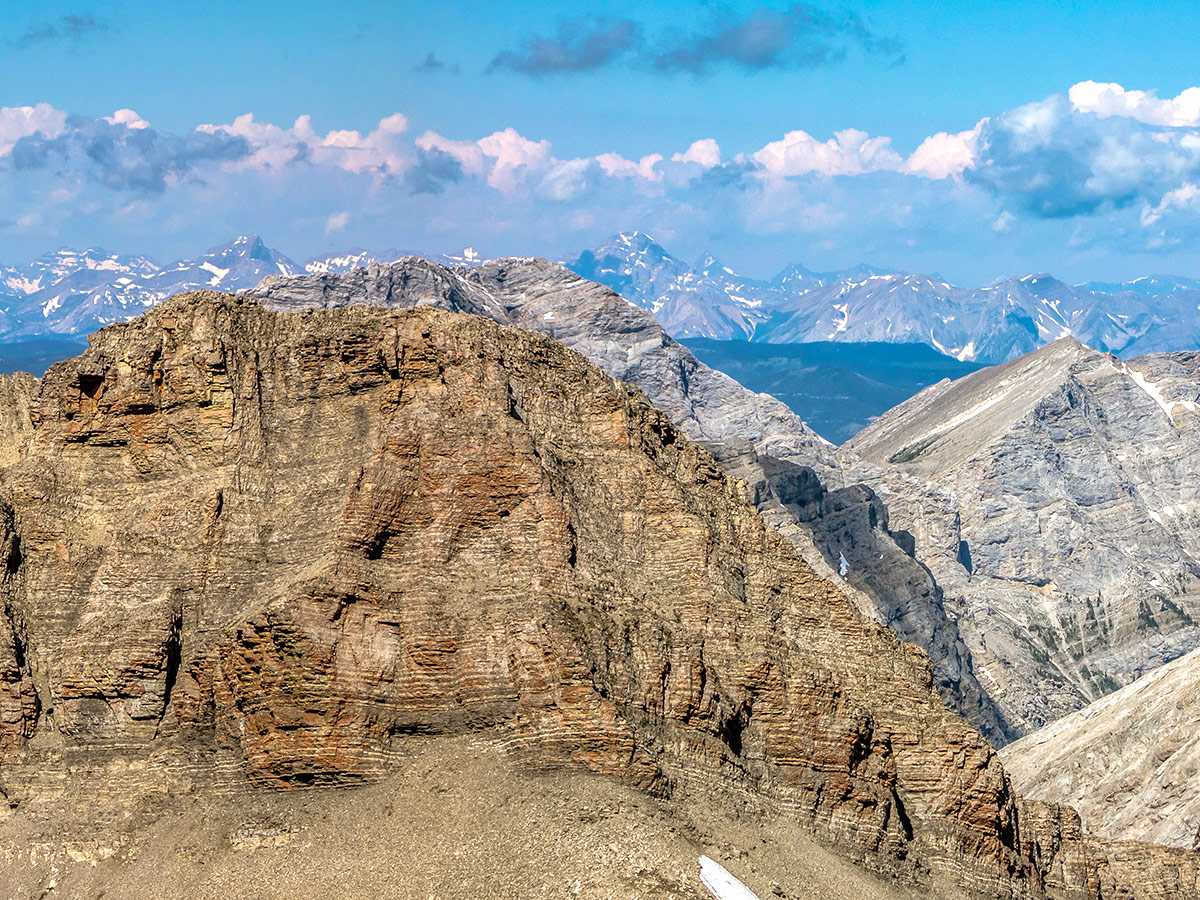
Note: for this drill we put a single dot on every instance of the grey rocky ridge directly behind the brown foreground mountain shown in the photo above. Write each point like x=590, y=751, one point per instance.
x=709, y=406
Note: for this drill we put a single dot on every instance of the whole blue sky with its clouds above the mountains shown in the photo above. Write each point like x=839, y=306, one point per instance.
x=539, y=130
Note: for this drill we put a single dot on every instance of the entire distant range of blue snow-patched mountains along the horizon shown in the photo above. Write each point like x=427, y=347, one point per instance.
x=74, y=292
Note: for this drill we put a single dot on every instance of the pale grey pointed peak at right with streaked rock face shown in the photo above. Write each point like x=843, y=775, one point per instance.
x=1054, y=500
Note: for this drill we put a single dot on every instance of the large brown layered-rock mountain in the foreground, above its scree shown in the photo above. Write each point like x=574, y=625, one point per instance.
x=253, y=550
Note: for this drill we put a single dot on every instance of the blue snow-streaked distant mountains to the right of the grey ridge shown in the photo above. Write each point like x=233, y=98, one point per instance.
x=989, y=325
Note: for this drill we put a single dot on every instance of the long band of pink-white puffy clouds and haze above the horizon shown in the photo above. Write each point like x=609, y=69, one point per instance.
x=1095, y=171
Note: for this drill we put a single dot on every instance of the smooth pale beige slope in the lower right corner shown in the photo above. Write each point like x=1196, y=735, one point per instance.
x=1130, y=763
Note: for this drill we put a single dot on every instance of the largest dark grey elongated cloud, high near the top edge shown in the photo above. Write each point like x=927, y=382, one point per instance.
x=802, y=37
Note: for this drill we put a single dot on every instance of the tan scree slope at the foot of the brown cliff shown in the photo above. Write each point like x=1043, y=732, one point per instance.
x=455, y=819
